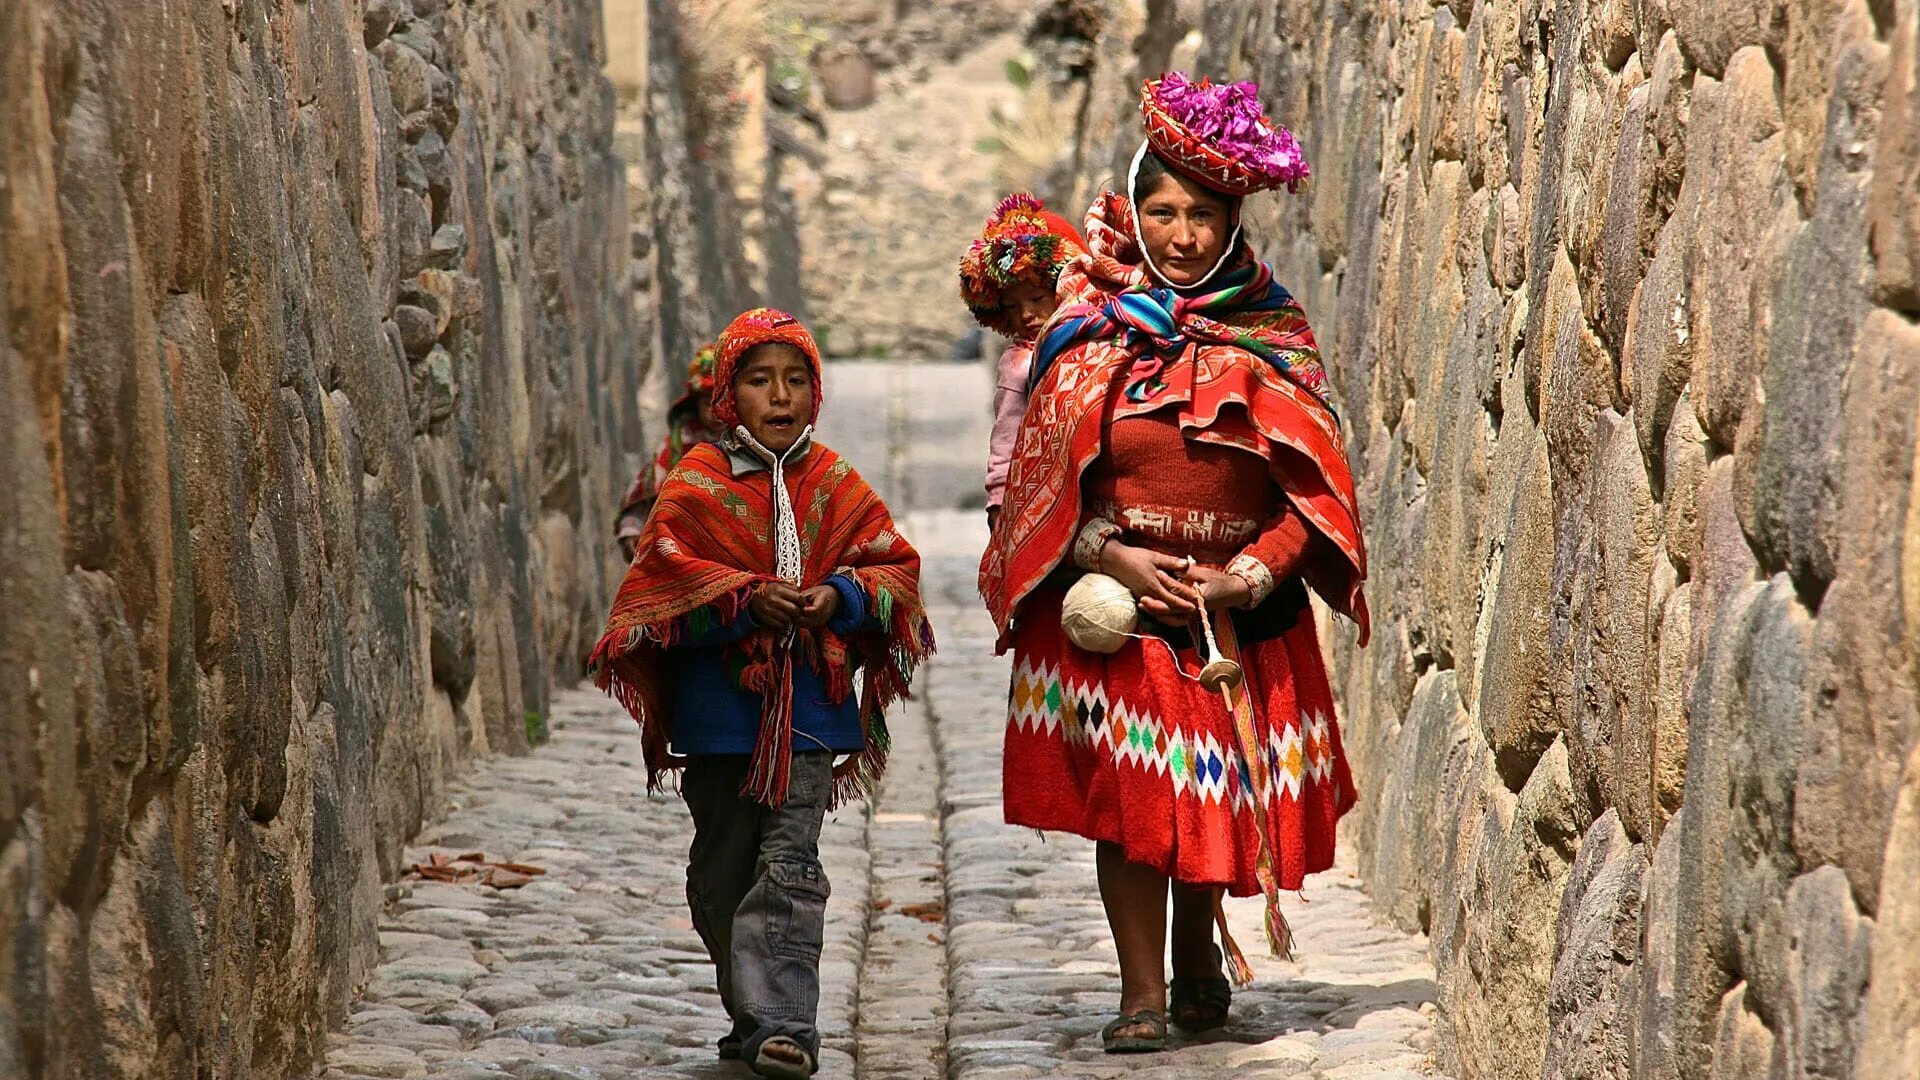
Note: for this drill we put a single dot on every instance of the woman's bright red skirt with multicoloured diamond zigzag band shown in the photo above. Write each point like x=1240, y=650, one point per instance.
x=1132, y=750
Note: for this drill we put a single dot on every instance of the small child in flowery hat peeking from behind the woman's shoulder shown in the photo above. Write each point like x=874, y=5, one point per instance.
x=1009, y=282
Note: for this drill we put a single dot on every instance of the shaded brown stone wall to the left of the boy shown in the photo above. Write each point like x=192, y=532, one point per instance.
x=316, y=355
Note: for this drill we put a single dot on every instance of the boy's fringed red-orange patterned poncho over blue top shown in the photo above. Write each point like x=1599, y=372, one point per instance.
x=704, y=552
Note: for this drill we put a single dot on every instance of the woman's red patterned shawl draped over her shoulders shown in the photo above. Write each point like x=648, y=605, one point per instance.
x=1222, y=391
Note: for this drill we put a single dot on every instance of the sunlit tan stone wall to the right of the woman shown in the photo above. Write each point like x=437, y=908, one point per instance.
x=1621, y=305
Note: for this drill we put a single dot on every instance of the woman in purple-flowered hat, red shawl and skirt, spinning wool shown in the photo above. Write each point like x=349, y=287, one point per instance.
x=1180, y=441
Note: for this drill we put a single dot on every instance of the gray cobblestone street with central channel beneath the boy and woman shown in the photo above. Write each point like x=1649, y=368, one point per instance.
x=955, y=946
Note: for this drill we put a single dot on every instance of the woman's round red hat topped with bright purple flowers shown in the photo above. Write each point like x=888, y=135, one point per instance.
x=1220, y=135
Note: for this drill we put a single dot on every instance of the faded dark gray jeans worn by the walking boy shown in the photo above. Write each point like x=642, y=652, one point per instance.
x=759, y=895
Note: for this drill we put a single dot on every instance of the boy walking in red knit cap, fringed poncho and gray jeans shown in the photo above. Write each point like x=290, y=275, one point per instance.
x=765, y=577
